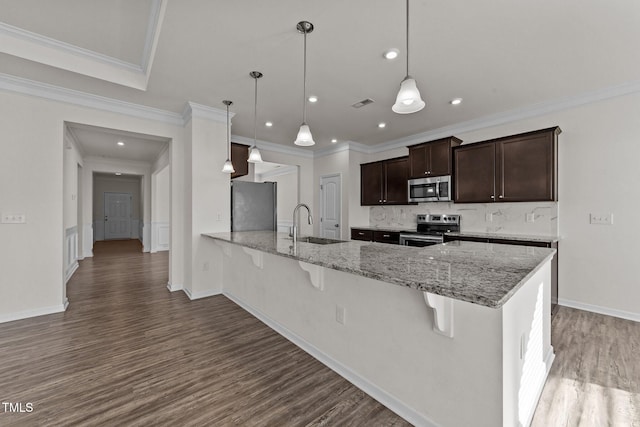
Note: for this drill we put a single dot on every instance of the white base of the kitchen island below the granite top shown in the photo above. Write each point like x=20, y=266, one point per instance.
x=380, y=337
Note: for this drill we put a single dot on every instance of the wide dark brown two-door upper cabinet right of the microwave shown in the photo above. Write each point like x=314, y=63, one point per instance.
x=518, y=168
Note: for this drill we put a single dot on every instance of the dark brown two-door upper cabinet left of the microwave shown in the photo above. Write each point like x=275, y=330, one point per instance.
x=384, y=182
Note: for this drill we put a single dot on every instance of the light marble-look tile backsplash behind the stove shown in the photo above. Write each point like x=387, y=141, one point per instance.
x=537, y=219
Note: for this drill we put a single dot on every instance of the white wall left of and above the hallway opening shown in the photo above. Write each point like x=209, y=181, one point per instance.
x=31, y=182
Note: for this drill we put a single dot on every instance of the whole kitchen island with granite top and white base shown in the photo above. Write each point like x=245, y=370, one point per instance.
x=451, y=334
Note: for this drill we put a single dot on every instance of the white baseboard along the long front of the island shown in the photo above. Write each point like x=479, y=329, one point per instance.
x=395, y=405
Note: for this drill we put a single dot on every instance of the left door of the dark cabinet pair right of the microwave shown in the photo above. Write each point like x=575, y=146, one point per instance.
x=474, y=173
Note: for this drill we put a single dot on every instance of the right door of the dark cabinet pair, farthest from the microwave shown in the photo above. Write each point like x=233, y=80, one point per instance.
x=526, y=171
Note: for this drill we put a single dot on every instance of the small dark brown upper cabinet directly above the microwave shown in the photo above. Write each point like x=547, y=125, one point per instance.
x=432, y=158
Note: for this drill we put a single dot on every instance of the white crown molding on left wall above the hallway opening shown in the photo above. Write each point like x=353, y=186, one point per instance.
x=70, y=96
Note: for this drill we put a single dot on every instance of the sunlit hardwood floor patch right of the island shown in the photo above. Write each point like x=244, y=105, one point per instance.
x=595, y=378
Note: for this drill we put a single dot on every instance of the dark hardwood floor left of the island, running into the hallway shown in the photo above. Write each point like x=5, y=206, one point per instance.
x=129, y=352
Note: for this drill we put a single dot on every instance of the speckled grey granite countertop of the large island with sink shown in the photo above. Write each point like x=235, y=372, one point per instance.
x=481, y=273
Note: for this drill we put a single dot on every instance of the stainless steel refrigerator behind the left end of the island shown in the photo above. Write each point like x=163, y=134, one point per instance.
x=253, y=206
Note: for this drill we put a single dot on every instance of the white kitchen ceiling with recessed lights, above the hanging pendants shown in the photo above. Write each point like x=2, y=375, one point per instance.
x=498, y=55
